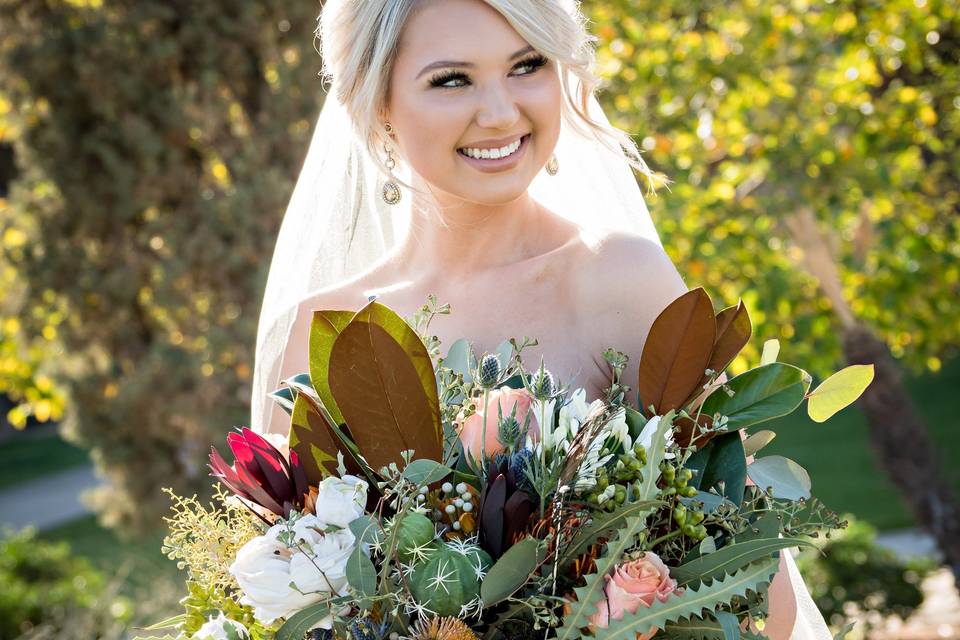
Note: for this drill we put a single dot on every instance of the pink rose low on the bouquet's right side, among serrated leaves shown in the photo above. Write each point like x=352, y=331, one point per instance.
x=632, y=584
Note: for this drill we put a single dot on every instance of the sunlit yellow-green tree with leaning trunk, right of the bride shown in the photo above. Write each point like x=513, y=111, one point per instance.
x=814, y=152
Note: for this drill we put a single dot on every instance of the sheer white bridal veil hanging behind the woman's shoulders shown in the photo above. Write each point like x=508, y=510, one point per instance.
x=336, y=226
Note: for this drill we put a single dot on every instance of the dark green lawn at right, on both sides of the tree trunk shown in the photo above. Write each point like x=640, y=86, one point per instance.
x=842, y=465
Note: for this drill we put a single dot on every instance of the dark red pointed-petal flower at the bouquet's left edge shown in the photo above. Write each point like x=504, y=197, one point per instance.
x=261, y=473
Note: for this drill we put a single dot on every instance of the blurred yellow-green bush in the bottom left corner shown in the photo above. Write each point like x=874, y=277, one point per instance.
x=46, y=586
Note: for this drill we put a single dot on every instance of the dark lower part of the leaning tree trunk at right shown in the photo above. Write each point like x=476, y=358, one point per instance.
x=900, y=439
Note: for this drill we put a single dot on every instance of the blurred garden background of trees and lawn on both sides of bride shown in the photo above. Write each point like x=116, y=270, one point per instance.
x=147, y=151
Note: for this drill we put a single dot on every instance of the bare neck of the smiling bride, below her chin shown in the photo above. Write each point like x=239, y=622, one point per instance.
x=456, y=238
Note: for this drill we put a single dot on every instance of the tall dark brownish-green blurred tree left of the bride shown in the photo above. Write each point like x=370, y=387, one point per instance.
x=156, y=145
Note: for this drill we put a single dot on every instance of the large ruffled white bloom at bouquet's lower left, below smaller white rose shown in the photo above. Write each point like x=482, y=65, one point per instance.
x=265, y=568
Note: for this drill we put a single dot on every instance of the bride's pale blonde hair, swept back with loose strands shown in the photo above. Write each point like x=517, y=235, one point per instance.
x=358, y=40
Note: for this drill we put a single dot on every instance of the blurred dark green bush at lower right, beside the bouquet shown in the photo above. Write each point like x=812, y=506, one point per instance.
x=853, y=568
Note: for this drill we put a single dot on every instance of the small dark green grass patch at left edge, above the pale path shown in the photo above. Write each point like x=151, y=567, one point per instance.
x=28, y=458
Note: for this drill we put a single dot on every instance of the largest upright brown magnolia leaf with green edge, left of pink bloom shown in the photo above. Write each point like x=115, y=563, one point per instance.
x=383, y=382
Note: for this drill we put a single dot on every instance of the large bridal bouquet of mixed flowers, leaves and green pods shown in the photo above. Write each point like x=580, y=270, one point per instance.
x=457, y=497
